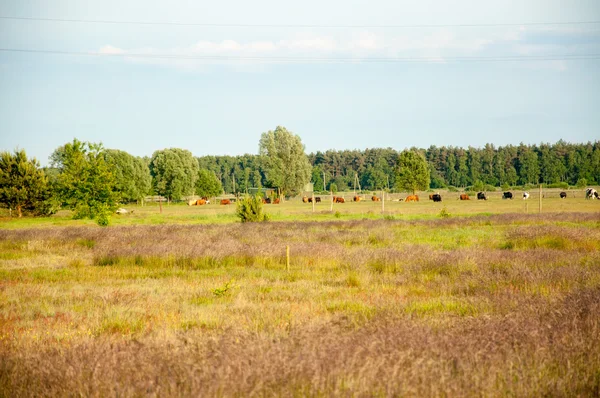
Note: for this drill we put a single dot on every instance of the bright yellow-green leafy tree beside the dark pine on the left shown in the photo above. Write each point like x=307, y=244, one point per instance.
x=85, y=182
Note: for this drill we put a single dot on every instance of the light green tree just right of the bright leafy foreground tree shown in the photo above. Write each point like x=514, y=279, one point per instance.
x=132, y=175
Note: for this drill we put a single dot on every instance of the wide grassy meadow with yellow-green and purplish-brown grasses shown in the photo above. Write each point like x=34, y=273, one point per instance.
x=493, y=300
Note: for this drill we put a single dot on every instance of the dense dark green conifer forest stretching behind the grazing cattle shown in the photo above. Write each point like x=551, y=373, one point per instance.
x=560, y=164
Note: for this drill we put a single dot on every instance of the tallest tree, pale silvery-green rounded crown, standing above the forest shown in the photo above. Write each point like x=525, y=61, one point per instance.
x=286, y=164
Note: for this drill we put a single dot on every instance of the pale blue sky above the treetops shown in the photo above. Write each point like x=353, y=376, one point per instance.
x=210, y=77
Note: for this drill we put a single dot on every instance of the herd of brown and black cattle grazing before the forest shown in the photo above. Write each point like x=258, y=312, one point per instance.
x=590, y=193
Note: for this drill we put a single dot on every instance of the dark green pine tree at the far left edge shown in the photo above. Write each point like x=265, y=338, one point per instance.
x=23, y=185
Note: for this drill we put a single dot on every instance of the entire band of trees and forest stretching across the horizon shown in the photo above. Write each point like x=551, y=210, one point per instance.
x=92, y=180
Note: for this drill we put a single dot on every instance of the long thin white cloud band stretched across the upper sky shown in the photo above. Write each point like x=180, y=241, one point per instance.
x=435, y=45
